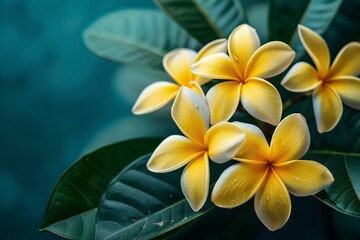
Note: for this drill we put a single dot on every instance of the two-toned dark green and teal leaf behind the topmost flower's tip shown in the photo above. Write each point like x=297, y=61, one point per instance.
x=206, y=20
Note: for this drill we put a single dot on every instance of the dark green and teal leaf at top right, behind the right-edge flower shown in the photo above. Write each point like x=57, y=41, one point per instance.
x=315, y=14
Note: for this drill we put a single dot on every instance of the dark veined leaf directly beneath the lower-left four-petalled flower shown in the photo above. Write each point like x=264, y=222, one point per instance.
x=140, y=204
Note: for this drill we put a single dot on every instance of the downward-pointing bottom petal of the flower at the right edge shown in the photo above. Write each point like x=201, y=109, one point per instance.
x=327, y=108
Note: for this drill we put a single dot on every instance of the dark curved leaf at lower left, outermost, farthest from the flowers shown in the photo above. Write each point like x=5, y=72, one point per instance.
x=77, y=193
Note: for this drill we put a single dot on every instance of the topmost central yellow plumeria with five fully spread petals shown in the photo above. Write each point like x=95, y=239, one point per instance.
x=245, y=69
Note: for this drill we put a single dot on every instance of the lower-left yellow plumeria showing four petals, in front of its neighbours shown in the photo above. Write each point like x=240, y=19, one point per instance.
x=191, y=114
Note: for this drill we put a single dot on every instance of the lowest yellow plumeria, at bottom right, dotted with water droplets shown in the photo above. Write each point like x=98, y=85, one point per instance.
x=271, y=172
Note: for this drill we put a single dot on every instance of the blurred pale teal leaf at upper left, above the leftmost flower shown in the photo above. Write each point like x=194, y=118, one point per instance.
x=136, y=37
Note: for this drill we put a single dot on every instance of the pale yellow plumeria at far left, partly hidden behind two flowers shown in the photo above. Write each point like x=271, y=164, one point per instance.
x=177, y=64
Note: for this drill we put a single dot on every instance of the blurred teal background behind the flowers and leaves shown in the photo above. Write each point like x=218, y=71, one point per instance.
x=58, y=101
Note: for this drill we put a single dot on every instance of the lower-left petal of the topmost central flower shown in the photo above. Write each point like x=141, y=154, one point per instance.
x=223, y=99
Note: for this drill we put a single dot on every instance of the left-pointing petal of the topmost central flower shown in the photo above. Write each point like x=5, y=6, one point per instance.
x=216, y=66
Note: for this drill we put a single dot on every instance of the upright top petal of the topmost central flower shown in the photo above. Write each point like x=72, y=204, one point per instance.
x=243, y=42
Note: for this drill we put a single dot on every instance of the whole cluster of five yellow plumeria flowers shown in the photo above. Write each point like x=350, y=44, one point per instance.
x=268, y=171
